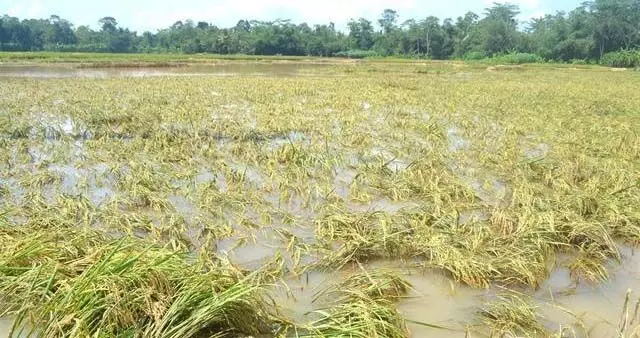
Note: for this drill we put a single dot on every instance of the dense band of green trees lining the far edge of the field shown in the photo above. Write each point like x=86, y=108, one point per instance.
x=586, y=33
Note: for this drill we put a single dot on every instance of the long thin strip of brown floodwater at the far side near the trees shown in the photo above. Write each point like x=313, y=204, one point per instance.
x=228, y=69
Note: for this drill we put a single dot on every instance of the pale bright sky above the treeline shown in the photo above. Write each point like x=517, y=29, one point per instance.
x=151, y=15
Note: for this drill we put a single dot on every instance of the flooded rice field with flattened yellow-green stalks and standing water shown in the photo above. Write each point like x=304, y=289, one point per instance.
x=245, y=199
